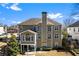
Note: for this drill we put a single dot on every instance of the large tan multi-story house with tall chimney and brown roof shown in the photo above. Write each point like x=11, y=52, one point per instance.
x=39, y=32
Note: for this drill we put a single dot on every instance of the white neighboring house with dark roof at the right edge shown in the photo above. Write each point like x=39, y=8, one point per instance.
x=73, y=30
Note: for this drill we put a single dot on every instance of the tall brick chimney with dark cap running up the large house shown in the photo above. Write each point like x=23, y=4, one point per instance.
x=44, y=29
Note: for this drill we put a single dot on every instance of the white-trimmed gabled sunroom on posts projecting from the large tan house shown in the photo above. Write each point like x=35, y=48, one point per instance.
x=28, y=40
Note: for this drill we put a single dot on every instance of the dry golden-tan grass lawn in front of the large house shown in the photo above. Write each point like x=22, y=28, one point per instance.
x=53, y=53
